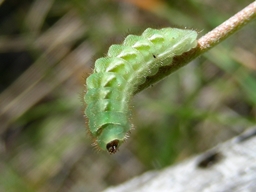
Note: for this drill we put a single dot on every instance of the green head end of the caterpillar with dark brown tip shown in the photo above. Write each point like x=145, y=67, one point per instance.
x=111, y=137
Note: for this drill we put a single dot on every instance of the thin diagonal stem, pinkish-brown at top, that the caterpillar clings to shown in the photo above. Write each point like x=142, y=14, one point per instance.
x=205, y=43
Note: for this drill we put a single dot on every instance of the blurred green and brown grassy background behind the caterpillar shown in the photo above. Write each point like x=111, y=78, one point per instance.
x=48, y=48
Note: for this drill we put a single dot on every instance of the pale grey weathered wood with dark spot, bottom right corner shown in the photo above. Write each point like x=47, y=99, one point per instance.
x=229, y=167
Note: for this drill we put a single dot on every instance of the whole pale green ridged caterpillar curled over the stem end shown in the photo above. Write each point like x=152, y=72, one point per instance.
x=116, y=77
